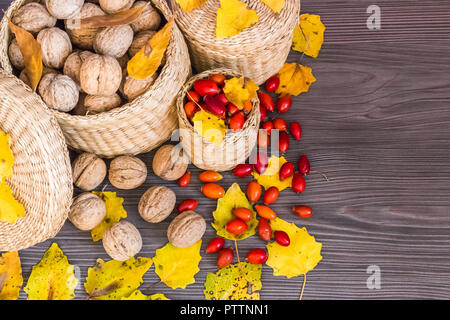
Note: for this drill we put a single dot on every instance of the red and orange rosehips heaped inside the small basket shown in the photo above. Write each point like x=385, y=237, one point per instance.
x=207, y=94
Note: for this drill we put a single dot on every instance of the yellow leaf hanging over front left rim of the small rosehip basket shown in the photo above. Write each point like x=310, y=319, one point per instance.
x=209, y=126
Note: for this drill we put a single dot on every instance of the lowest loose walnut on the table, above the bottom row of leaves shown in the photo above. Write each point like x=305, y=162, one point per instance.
x=122, y=241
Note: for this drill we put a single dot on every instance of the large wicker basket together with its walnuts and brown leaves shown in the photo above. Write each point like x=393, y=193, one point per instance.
x=110, y=71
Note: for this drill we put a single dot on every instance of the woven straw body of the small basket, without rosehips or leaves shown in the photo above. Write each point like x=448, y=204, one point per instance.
x=235, y=147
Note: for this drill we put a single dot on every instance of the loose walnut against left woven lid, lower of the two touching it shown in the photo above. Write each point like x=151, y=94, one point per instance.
x=87, y=211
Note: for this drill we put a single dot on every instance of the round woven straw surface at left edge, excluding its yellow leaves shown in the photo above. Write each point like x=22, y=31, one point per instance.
x=42, y=177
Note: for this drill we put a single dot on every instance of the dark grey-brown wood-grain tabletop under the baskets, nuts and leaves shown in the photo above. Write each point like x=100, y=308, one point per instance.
x=377, y=121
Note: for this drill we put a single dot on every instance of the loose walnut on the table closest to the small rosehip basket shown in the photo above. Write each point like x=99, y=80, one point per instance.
x=169, y=163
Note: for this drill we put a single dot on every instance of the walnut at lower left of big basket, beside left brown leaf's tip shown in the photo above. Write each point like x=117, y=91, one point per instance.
x=59, y=92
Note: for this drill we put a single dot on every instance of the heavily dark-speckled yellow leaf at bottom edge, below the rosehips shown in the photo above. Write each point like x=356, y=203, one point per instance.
x=234, y=282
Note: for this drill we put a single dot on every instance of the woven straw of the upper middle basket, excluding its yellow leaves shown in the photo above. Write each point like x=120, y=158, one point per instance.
x=257, y=52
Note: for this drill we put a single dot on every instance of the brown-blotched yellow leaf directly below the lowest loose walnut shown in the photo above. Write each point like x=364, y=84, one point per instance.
x=114, y=280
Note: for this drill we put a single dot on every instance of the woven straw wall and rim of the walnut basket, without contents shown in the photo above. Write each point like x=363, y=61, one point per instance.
x=136, y=127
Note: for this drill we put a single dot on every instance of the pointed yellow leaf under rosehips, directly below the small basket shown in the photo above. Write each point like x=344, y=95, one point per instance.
x=233, y=198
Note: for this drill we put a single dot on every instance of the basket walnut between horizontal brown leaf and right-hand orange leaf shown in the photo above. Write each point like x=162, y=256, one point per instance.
x=114, y=41
